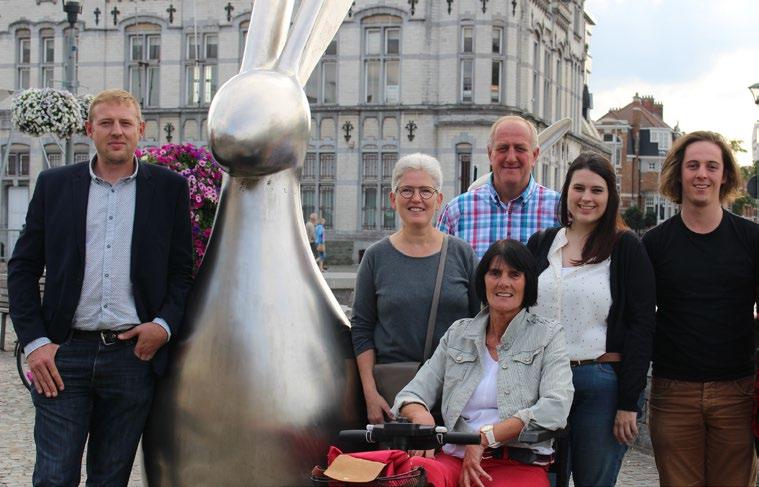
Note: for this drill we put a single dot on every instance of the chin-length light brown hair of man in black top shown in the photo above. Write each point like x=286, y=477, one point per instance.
x=670, y=183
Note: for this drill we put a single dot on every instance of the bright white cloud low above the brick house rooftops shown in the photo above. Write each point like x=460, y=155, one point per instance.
x=717, y=99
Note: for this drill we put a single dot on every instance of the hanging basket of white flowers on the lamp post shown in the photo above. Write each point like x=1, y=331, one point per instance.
x=47, y=111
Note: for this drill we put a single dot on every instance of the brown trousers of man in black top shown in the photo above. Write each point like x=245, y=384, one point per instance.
x=701, y=432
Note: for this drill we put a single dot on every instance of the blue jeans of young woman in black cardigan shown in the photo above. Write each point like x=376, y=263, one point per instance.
x=595, y=456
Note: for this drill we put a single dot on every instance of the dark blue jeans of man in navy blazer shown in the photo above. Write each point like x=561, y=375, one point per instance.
x=107, y=394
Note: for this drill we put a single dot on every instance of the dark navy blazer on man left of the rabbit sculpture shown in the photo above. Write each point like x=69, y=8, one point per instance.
x=54, y=239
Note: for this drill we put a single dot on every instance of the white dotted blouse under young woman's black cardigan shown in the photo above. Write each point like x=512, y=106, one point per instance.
x=577, y=297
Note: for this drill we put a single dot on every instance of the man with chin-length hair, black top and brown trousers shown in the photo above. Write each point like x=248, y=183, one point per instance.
x=706, y=262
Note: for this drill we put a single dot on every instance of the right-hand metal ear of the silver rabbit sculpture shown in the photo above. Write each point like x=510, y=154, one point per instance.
x=315, y=26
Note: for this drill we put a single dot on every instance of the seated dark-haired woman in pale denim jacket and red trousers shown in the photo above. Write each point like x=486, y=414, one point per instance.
x=497, y=373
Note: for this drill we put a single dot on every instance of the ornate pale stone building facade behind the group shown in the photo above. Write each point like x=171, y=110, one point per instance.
x=400, y=77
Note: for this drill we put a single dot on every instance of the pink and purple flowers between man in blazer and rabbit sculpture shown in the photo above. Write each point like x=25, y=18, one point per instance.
x=203, y=175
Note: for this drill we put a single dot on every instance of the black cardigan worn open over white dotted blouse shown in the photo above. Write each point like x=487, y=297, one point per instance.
x=630, y=324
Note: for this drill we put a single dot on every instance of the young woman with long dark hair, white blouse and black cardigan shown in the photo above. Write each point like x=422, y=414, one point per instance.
x=597, y=281
